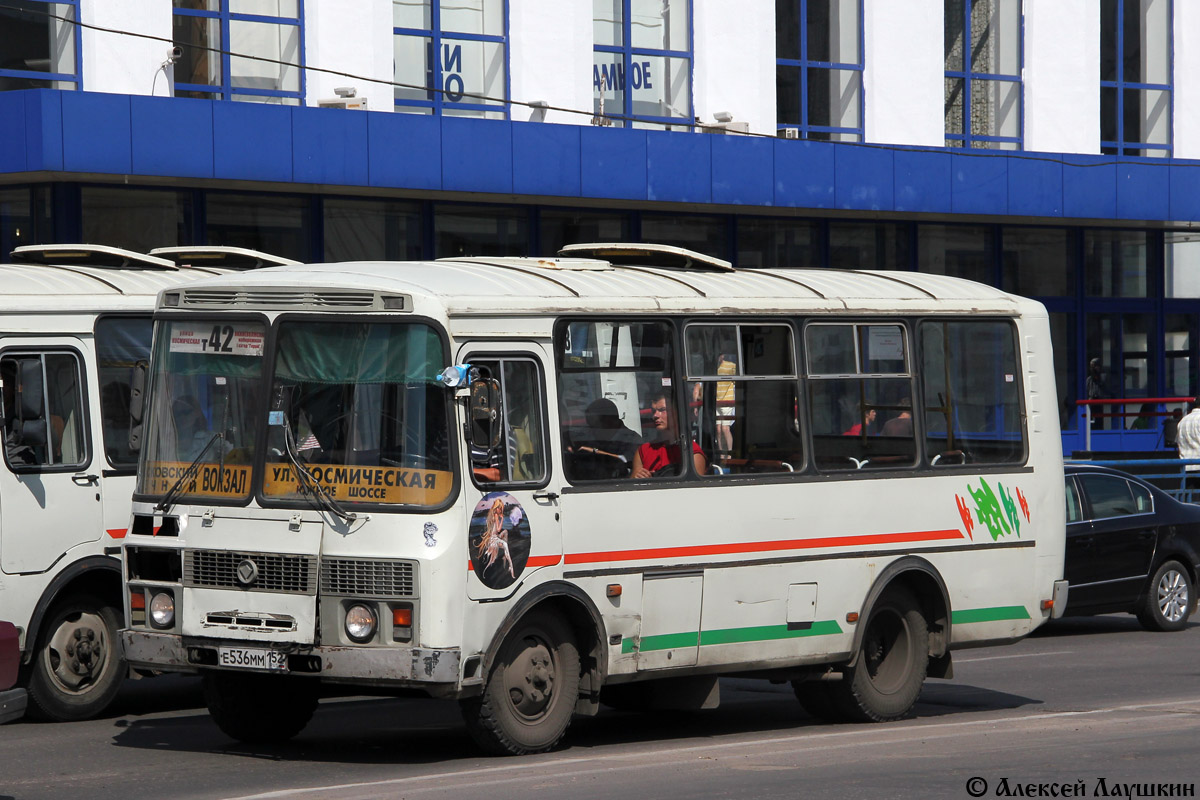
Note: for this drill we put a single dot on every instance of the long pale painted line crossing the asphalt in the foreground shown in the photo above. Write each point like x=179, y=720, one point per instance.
x=935, y=731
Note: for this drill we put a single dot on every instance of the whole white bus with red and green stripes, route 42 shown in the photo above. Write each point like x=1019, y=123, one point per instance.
x=538, y=485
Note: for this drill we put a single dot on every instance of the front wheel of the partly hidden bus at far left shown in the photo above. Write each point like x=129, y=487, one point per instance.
x=79, y=666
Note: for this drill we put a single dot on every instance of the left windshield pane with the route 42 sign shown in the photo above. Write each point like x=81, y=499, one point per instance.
x=205, y=398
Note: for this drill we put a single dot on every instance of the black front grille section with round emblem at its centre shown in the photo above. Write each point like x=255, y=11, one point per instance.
x=266, y=572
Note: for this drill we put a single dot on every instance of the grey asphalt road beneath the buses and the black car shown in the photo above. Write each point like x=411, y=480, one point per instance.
x=1079, y=702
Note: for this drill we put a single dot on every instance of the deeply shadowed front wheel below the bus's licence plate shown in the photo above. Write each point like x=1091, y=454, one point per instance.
x=260, y=709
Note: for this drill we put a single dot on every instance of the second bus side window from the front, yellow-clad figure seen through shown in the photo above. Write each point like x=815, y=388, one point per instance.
x=745, y=398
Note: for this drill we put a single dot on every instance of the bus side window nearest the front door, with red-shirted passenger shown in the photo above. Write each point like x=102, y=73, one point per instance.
x=617, y=400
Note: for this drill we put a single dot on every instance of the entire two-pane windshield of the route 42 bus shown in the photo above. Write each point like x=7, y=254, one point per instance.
x=353, y=413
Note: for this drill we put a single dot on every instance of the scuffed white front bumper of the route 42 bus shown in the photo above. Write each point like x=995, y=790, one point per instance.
x=403, y=666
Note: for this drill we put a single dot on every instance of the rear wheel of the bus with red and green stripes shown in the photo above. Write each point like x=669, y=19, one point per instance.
x=886, y=679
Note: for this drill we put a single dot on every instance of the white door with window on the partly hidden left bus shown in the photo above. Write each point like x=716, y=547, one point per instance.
x=50, y=486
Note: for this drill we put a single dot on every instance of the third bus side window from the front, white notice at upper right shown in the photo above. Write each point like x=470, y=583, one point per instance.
x=860, y=396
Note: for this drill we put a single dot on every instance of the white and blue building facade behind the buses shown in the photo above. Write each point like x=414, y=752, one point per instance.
x=1046, y=147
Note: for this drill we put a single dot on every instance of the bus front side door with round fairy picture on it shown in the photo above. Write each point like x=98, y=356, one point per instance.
x=514, y=526
